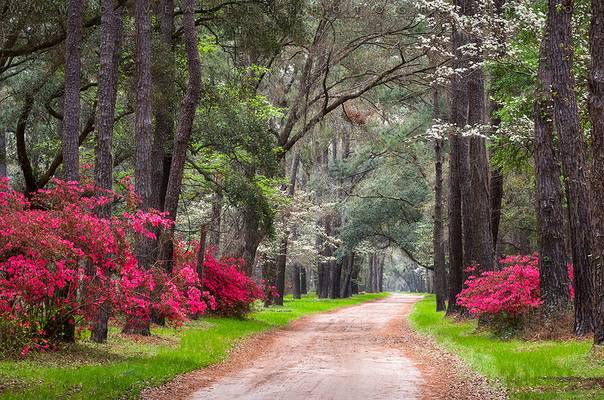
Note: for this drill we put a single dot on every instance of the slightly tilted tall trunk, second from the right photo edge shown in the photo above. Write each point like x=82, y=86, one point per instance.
x=574, y=168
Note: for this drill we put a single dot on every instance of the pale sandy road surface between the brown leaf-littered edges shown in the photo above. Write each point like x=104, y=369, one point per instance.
x=346, y=354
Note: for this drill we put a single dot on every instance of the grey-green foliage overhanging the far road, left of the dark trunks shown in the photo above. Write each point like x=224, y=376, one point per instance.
x=387, y=205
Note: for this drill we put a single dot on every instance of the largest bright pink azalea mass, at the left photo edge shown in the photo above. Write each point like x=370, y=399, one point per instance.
x=60, y=262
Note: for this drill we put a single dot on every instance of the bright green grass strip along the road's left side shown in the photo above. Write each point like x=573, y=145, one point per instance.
x=123, y=367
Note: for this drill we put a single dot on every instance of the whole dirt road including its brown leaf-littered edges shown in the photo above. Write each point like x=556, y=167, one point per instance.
x=364, y=352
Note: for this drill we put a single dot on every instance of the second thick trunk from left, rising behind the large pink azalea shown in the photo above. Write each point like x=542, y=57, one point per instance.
x=111, y=29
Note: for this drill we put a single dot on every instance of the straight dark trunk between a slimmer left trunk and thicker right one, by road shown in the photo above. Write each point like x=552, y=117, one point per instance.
x=459, y=110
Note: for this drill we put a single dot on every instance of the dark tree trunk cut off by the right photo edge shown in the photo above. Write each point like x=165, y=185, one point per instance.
x=596, y=108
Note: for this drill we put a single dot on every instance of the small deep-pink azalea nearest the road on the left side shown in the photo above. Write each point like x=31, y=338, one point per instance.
x=229, y=291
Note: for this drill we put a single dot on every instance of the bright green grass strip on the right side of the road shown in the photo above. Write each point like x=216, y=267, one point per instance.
x=528, y=369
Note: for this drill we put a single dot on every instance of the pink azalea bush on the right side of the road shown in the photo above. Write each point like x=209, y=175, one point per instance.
x=511, y=291
